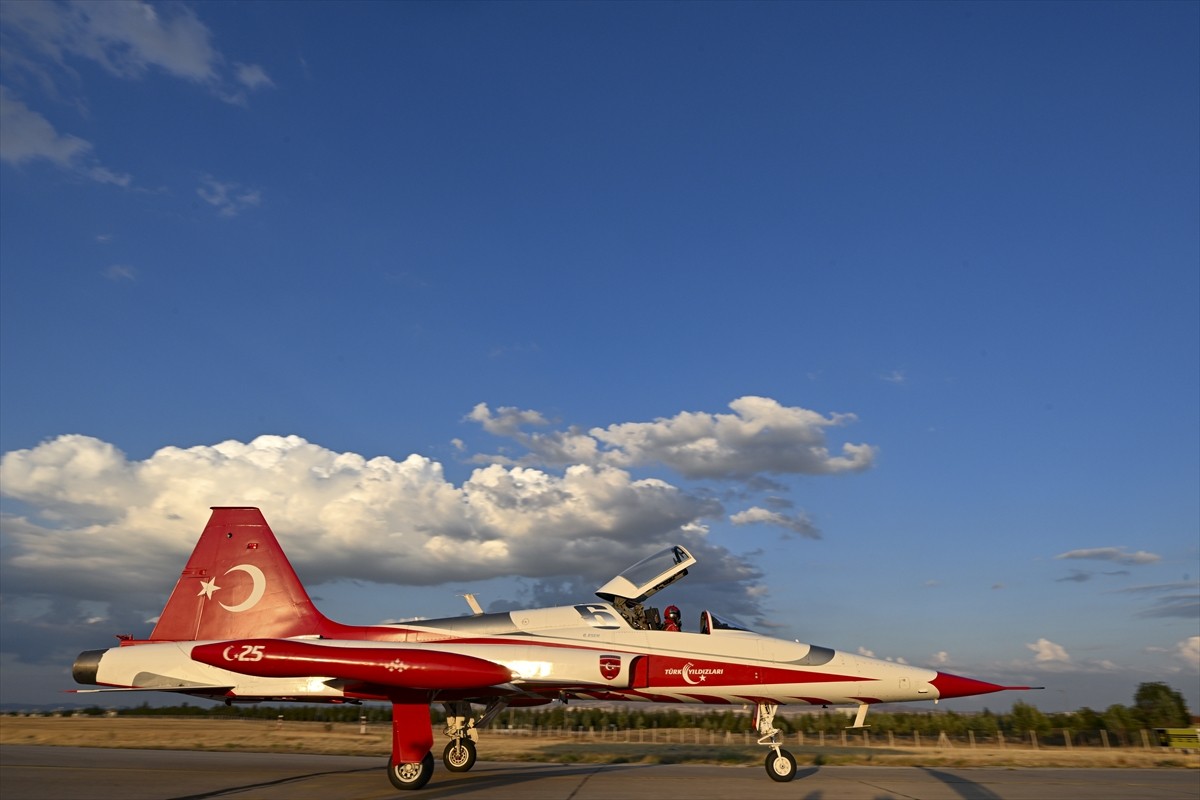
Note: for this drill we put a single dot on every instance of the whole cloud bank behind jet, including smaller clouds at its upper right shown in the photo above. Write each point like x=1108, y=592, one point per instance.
x=97, y=527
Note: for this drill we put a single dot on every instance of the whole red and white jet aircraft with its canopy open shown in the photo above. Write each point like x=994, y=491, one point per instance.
x=239, y=627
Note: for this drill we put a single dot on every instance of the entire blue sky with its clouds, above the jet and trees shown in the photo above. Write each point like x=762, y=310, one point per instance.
x=890, y=311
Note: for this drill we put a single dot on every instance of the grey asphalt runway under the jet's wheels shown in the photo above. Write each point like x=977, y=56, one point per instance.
x=40, y=773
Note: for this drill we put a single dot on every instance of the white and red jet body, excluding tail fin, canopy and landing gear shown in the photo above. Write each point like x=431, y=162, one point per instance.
x=586, y=651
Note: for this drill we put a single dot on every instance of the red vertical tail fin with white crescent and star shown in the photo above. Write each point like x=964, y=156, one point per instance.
x=238, y=585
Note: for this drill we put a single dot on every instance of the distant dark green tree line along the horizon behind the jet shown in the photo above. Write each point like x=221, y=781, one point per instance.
x=1156, y=706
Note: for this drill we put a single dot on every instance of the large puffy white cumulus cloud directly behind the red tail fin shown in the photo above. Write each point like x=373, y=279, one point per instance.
x=103, y=518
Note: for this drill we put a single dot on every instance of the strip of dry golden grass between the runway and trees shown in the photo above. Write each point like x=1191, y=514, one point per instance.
x=664, y=747
